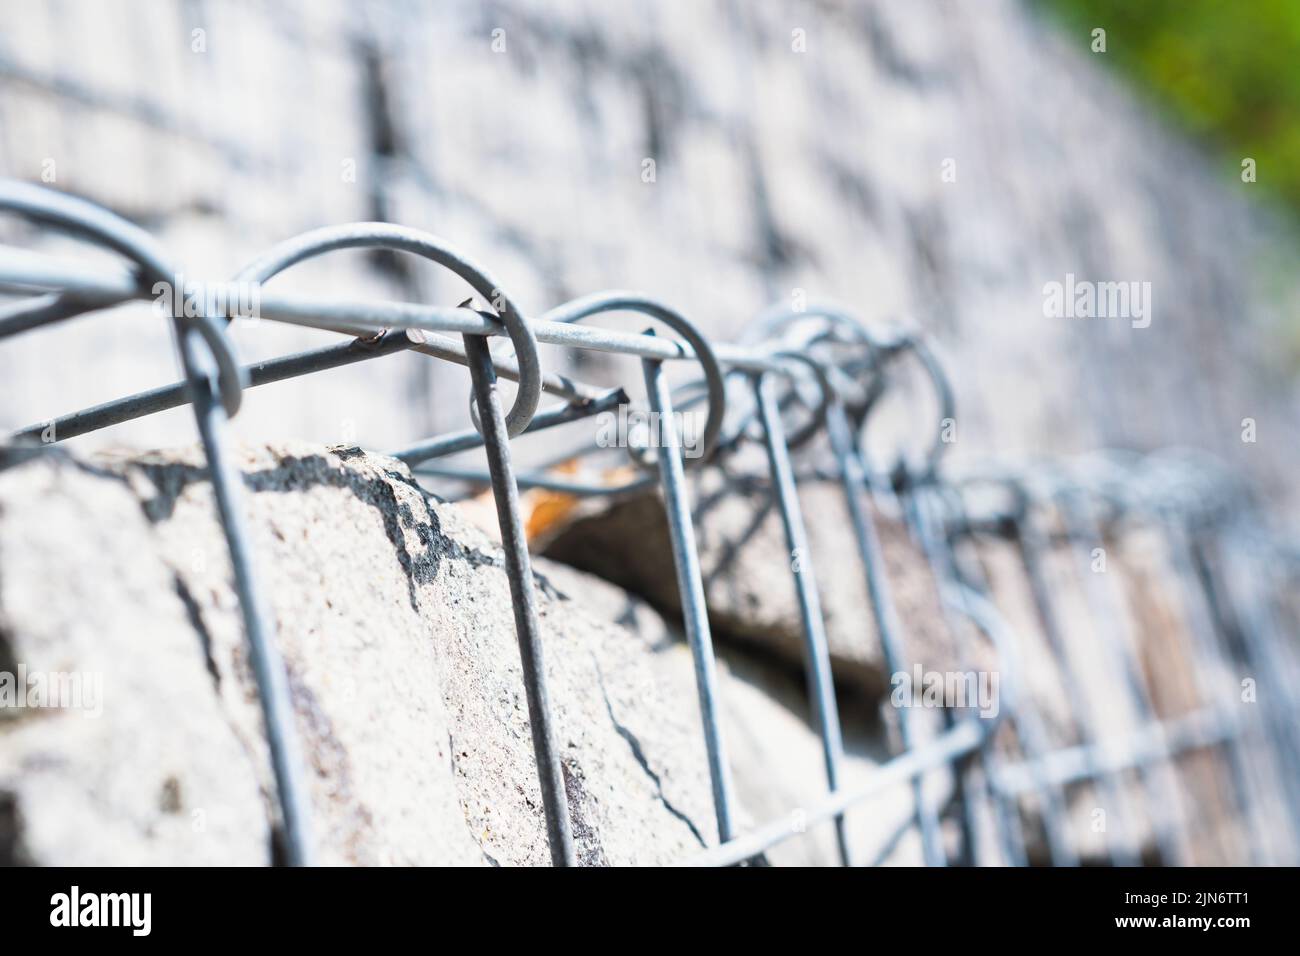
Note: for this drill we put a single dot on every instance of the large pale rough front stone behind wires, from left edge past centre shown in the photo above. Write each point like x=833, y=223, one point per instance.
x=395, y=620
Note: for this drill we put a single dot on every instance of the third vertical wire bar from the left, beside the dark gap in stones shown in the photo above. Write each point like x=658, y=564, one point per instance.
x=691, y=589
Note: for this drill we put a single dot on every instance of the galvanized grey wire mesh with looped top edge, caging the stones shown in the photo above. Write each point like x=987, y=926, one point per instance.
x=1229, y=570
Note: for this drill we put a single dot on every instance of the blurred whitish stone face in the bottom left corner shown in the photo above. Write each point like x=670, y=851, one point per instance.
x=159, y=776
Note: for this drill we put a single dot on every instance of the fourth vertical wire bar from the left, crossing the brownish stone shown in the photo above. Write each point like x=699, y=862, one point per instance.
x=821, y=687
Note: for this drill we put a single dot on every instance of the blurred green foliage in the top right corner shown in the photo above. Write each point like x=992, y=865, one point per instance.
x=1228, y=71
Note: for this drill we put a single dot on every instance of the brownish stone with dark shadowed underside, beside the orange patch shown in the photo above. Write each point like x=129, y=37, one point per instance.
x=747, y=569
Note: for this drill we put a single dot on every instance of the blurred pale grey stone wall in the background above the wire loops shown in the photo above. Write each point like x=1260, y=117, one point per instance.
x=796, y=146
